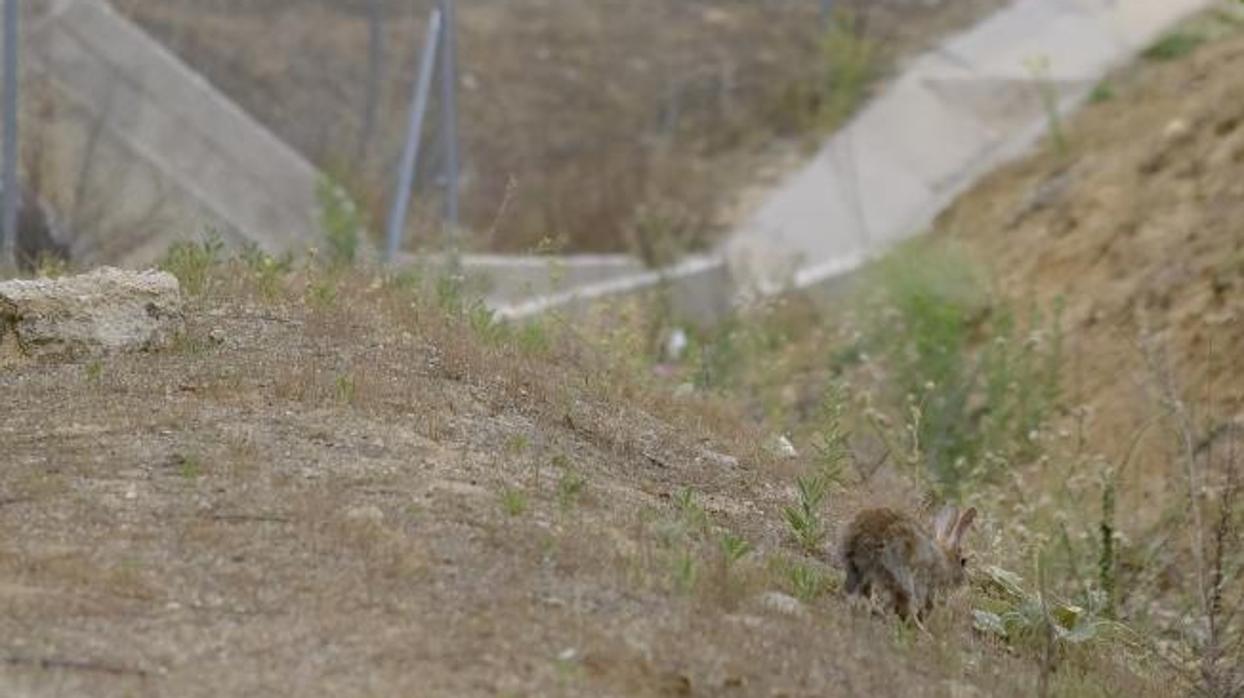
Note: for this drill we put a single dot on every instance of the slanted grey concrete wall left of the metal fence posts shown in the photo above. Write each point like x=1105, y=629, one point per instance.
x=121, y=120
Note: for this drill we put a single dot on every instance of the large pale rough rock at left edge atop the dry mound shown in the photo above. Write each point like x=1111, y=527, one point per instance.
x=105, y=312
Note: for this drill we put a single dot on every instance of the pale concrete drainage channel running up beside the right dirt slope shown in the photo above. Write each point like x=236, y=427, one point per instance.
x=956, y=114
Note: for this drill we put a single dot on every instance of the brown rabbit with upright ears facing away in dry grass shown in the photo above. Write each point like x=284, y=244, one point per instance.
x=888, y=549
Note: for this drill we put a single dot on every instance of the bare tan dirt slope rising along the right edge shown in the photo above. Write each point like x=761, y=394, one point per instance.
x=1140, y=230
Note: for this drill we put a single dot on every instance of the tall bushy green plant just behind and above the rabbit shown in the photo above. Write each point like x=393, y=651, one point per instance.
x=973, y=385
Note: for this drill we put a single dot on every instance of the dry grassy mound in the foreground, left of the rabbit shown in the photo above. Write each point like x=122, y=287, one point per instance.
x=228, y=519
